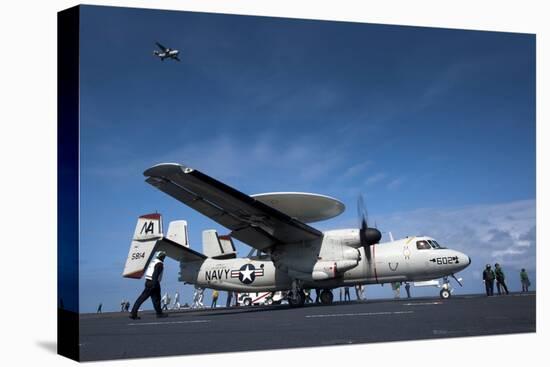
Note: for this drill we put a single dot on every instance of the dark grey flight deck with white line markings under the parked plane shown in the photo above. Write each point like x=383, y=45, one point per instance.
x=114, y=335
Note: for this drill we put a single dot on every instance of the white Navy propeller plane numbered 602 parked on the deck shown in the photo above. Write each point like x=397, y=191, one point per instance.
x=290, y=254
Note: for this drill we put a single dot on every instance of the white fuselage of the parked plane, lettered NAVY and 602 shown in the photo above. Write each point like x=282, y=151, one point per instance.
x=336, y=260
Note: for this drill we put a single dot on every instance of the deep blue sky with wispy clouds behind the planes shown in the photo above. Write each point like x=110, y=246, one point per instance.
x=435, y=127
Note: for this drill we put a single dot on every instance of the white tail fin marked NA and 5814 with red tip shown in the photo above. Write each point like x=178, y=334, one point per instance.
x=148, y=231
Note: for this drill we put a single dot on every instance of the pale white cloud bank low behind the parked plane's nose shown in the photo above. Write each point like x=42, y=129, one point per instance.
x=489, y=233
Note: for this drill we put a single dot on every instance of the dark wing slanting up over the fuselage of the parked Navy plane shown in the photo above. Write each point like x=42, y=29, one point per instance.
x=251, y=221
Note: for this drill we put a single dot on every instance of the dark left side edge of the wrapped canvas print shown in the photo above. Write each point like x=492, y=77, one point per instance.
x=68, y=34
